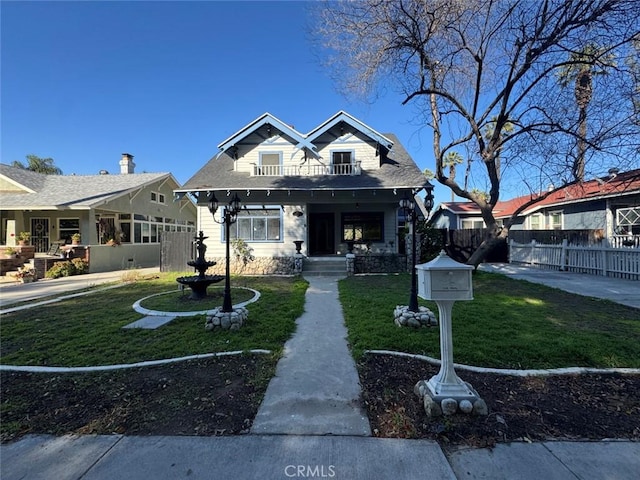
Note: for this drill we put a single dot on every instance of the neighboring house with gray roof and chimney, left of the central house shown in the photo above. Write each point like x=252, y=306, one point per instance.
x=129, y=209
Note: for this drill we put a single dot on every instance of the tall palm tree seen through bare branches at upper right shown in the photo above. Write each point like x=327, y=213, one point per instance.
x=582, y=67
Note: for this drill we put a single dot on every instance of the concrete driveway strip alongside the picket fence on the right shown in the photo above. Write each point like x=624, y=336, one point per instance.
x=625, y=292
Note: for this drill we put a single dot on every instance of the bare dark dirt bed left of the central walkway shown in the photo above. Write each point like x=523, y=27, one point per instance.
x=217, y=396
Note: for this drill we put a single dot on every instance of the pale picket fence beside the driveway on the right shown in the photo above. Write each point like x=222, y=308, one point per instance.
x=611, y=262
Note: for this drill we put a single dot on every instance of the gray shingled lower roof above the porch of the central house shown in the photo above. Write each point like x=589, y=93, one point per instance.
x=398, y=170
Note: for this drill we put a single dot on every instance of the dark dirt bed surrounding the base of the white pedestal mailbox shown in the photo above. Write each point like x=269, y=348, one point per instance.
x=586, y=406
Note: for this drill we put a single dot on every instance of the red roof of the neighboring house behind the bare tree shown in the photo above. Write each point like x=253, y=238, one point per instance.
x=626, y=183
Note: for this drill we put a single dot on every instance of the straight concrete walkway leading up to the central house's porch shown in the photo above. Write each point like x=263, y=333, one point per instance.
x=316, y=389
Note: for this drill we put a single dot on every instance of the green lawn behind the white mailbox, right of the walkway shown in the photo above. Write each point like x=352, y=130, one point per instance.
x=509, y=324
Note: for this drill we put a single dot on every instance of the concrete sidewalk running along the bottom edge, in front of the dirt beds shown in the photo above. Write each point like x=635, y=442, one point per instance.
x=292, y=456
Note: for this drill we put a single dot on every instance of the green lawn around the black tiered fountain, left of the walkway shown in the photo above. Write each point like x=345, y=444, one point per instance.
x=87, y=330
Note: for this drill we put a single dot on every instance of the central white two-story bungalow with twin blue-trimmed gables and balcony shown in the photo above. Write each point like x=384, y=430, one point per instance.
x=339, y=183
